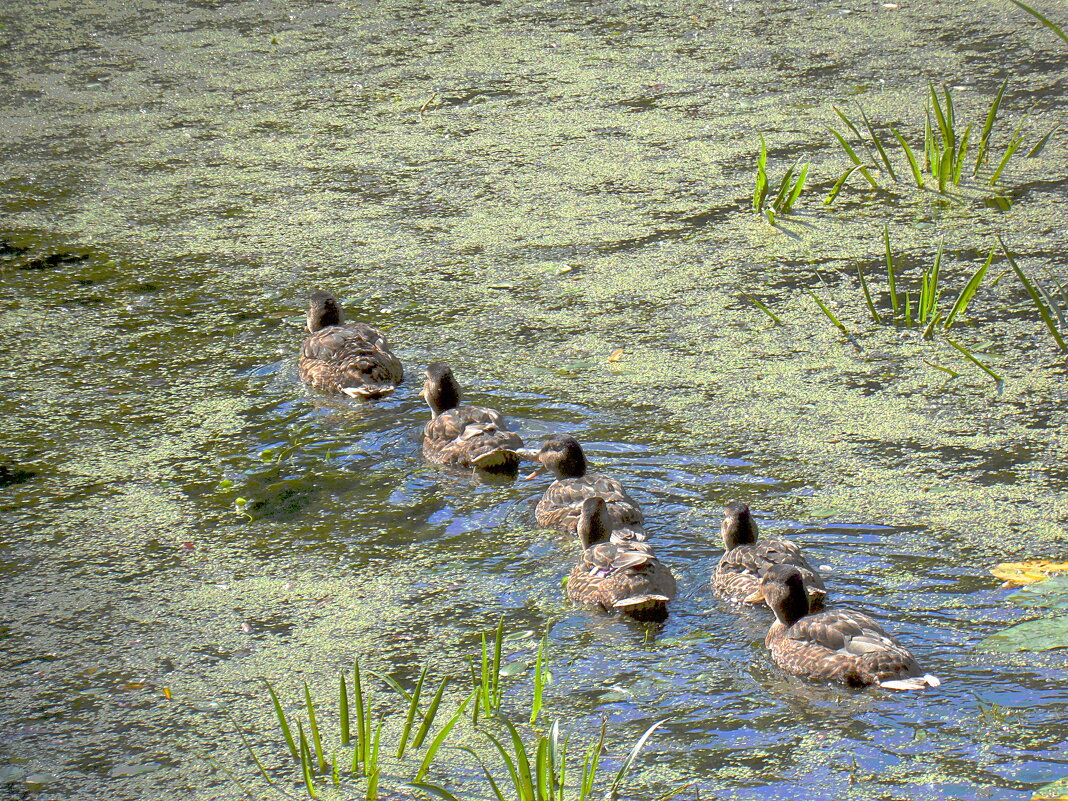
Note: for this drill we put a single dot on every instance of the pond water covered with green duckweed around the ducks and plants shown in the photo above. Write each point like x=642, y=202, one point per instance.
x=520, y=190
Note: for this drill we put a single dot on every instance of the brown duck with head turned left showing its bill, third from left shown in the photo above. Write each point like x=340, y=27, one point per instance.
x=561, y=506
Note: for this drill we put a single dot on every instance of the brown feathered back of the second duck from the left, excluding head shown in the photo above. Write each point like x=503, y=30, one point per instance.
x=472, y=437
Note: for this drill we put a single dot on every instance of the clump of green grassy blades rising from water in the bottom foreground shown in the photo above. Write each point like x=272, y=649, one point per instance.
x=531, y=765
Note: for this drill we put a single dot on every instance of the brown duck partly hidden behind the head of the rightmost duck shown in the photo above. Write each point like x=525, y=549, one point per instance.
x=746, y=560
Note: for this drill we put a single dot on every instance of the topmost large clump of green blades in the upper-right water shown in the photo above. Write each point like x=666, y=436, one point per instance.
x=946, y=150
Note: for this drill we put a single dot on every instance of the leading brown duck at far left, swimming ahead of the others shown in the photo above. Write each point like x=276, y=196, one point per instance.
x=351, y=359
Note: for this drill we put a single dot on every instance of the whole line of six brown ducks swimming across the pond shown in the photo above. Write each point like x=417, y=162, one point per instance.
x=619, y=570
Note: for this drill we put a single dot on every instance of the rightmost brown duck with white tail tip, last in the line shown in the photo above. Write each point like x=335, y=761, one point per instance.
x=838, y=646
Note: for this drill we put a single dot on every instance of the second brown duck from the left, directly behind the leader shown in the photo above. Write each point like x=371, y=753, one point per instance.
x=465, y=436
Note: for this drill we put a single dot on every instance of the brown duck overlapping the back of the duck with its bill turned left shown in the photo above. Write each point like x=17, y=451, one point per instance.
x=625, y=577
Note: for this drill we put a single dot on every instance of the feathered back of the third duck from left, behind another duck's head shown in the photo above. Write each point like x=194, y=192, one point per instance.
x=561, y=507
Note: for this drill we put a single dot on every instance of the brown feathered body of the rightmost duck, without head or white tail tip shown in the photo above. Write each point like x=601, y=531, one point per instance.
x=842, y=647
